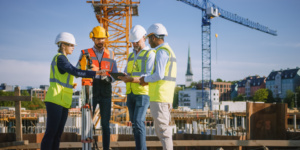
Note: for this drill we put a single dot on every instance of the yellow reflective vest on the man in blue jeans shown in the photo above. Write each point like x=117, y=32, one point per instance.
x=136, y=69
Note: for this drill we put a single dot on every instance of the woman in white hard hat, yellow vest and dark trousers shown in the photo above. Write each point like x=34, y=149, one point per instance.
x=59, y=96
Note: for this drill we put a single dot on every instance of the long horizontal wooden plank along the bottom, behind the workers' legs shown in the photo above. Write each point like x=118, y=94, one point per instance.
x=273, y=143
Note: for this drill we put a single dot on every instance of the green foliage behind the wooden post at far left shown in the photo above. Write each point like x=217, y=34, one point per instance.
x=26, y=104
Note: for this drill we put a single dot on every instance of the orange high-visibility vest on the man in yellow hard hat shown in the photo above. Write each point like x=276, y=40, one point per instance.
x=107, y=61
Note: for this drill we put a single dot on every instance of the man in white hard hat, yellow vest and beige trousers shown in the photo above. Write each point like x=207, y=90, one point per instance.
x=161, y=84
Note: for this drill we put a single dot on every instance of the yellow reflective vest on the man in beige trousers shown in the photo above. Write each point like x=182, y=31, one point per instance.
x=163, y=90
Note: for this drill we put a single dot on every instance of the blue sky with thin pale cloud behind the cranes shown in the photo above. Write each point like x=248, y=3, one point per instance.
x=28, y=30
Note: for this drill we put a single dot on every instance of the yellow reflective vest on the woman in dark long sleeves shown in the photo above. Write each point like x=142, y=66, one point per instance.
x=61, y=86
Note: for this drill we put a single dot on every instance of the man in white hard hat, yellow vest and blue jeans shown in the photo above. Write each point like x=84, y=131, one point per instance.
x=140, y=63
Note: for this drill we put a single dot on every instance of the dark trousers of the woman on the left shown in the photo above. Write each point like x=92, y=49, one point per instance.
x=56, y=120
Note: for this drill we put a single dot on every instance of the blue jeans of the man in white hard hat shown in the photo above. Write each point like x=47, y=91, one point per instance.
x=137, y=106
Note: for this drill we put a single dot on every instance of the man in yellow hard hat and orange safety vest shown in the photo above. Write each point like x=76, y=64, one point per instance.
x=102, y=88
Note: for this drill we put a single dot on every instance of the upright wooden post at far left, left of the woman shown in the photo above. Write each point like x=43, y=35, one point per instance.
x=18, y=116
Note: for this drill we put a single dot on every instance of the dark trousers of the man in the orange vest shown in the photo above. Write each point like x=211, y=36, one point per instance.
x=105, y=112
